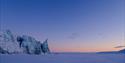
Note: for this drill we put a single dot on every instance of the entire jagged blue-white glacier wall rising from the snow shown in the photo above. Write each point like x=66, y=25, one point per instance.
x=13, y=44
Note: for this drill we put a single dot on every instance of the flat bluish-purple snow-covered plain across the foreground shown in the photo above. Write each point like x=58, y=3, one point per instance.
x=64, y=58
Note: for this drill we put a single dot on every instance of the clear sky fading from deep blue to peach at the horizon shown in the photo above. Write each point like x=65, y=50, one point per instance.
x=69, y=25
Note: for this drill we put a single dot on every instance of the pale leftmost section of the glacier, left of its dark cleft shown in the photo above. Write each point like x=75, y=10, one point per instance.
x=8, y=43
